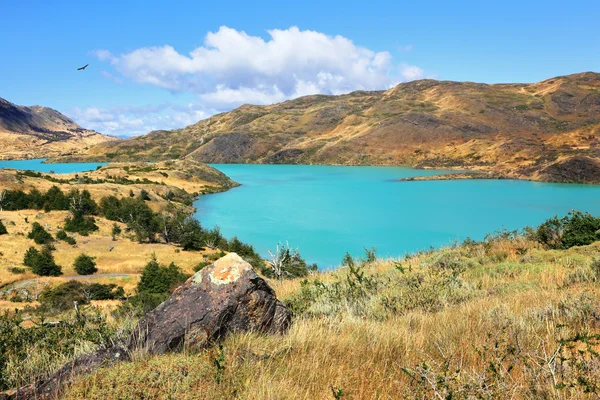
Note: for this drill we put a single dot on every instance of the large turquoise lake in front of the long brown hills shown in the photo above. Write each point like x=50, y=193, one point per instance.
x=326, y=211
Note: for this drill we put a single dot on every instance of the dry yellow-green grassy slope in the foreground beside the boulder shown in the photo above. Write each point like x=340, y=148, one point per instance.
x=510, y=306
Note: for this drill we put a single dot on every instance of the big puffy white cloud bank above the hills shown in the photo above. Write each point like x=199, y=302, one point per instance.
x=232, y=68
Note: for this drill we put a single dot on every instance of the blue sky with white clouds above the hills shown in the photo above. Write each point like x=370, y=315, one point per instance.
x=155, y=65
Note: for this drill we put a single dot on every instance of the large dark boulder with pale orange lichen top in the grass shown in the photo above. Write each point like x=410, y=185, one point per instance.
x=227, y=296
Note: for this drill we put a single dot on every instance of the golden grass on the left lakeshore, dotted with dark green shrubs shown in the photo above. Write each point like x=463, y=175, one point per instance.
x=126, y=256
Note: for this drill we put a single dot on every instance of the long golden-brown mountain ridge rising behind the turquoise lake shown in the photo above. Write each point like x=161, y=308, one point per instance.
x=542, y=131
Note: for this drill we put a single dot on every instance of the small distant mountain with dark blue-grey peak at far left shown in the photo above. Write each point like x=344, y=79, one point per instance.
x=33, y=132
